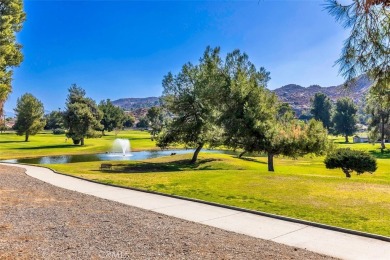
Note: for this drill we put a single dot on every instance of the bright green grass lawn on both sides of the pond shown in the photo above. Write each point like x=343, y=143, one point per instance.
x=301, y=188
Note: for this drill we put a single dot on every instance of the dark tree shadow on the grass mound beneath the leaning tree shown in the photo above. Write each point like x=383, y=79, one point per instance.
x=173, y=166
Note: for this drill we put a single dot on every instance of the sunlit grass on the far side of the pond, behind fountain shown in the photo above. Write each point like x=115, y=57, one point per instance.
x=45, y=143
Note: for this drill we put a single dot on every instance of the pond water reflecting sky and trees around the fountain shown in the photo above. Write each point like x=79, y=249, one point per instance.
x=105, y=157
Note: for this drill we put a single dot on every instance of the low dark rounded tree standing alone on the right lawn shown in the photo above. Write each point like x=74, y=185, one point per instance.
x=351, y=160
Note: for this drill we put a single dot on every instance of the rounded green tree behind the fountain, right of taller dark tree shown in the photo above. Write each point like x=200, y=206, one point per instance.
x=113, y=116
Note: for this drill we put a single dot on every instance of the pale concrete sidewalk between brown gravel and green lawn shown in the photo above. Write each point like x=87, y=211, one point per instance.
x=332, y=243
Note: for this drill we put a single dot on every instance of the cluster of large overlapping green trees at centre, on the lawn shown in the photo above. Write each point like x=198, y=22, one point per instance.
x=226, y=102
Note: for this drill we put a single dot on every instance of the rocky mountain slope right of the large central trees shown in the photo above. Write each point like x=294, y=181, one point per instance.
x=300, y=97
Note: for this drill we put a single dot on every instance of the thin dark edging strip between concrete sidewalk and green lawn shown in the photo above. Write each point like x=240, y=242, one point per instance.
x=260, y=213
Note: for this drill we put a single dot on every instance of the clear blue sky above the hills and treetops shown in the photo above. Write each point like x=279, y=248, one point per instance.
x=117, y=49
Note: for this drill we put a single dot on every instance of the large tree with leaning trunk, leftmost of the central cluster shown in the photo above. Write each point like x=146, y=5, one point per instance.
x=188, y=98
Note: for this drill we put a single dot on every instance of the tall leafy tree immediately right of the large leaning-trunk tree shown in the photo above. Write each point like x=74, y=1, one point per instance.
x=246, y=106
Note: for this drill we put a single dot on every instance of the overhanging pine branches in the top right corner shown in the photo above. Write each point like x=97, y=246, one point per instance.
x=367, y=49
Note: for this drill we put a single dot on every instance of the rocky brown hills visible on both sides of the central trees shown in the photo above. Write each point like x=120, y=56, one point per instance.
x=297, y=96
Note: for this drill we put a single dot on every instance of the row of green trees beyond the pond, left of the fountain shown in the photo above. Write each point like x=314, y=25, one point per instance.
x=82, y=117
